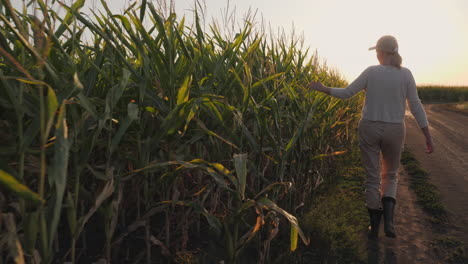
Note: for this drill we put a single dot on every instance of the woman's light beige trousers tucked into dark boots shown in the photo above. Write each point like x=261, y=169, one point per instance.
x=381, y=144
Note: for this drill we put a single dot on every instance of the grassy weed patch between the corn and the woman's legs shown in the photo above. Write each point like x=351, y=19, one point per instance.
x=337, y=220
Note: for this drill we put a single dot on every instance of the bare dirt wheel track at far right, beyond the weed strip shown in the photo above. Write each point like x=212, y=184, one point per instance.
x=448, y=166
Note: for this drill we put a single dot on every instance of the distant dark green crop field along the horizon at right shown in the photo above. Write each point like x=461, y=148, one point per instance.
x=443, y=94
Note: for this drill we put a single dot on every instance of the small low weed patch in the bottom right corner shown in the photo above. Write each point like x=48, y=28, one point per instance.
x=452, y=249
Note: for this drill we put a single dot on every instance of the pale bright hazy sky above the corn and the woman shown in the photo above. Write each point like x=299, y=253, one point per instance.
x=432, y=34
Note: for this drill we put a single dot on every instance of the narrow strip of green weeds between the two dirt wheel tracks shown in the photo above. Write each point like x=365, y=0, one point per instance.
x=426, y=192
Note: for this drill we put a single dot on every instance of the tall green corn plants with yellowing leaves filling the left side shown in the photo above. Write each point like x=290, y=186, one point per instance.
x=157, y=144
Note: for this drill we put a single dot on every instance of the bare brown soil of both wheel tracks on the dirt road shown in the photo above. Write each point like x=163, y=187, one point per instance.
x=448, y=170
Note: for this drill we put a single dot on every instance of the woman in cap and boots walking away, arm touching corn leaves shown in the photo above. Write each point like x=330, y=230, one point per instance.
x=381, y=129
